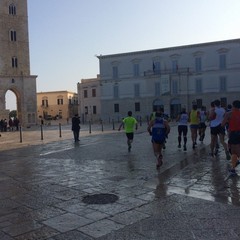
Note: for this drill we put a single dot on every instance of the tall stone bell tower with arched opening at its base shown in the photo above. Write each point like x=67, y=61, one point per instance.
x=15, y=63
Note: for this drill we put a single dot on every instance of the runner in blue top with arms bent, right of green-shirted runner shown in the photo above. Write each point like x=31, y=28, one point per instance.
x=158, y=128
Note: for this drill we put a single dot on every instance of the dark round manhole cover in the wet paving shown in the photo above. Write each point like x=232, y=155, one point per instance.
x=101, y=198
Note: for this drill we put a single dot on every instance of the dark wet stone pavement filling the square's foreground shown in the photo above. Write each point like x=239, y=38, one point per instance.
x=95, y=189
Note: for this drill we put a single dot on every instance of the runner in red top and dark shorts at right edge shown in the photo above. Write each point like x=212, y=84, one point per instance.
x=233, y=119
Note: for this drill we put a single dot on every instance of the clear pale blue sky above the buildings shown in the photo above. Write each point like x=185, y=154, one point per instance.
x=65, y=36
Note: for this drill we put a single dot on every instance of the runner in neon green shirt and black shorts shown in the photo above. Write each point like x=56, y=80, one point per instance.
x=129, y=123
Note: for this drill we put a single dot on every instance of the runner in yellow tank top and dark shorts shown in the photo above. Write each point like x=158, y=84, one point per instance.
x=194, y=118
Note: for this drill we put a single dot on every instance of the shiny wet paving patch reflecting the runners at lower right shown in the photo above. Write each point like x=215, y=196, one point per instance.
x=209, y=181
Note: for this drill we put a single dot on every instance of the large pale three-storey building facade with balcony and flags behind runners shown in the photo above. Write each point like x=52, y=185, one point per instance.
x=172, y=77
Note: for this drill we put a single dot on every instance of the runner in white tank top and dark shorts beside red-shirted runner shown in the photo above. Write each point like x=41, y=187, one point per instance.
x=216, y=118
